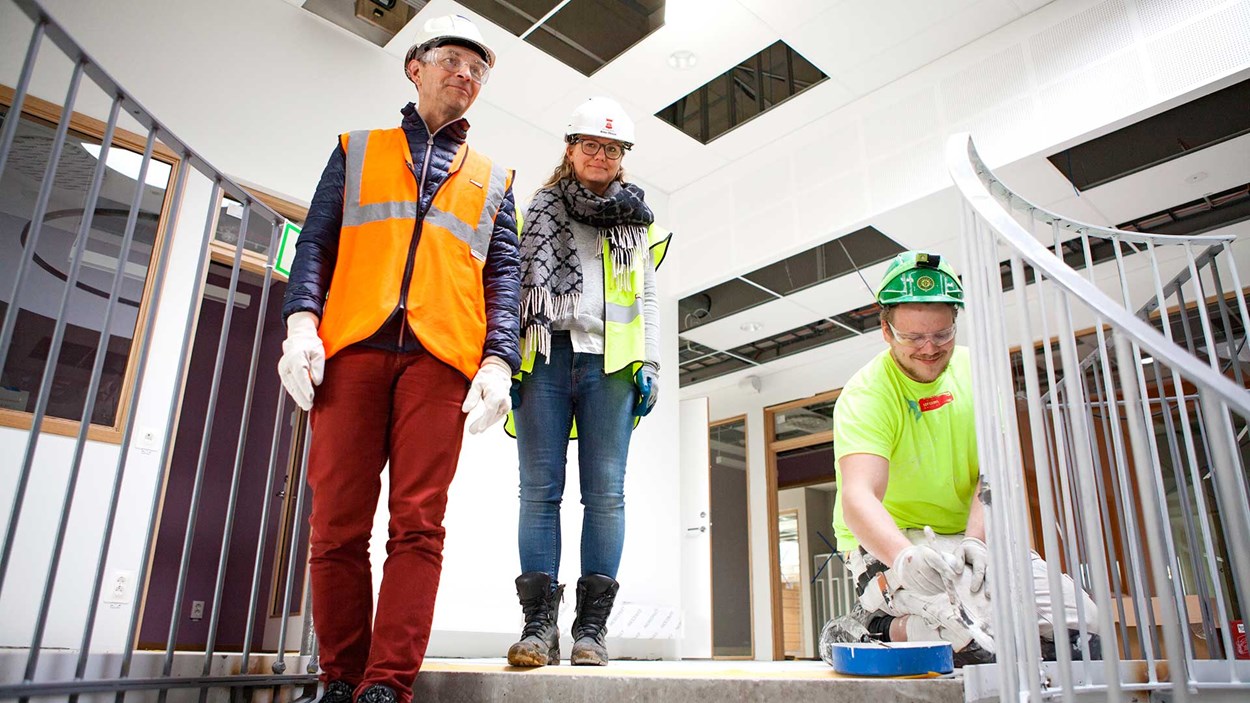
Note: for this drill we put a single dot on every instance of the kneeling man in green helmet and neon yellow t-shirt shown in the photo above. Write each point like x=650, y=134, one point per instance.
x=906, y=452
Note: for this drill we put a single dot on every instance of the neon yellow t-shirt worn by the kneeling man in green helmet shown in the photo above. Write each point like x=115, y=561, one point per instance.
x=928, y=433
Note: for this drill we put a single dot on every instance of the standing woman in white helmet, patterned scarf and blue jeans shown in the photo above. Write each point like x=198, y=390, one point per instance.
x=591, y=367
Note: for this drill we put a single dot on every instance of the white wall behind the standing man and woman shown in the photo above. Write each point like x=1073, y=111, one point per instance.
x=261, y=89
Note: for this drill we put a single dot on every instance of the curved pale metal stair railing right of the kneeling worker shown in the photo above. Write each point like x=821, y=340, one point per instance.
x=1126, y=465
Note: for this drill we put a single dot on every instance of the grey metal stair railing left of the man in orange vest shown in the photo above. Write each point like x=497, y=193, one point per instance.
x=51, y=46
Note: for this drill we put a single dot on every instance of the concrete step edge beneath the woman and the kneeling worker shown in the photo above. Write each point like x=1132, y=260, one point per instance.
x=474, y=681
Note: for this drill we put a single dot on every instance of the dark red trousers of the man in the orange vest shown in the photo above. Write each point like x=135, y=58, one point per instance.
x=377, y=407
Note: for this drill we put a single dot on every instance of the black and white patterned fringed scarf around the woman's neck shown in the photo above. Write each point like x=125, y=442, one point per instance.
x=551, y=270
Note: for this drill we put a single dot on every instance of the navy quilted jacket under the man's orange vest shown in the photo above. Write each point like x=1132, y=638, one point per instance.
x=318, y=246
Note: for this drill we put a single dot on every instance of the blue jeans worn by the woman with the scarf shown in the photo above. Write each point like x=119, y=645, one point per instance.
x=574, y=387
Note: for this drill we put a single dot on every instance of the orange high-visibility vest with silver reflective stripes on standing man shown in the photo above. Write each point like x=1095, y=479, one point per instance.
x=444, y=301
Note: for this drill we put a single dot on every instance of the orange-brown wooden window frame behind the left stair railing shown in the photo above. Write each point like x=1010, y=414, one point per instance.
x=49, y=114
